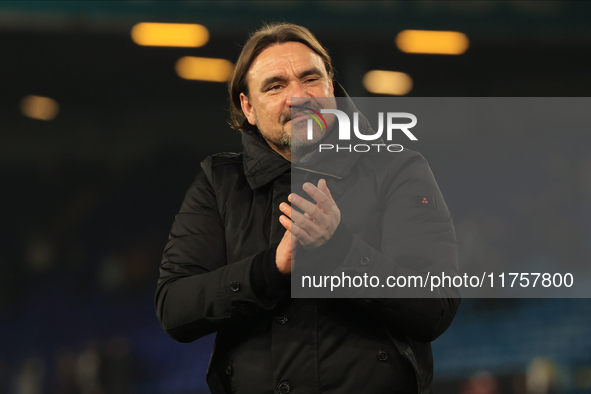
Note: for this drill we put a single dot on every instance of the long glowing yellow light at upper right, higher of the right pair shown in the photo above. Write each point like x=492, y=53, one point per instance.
x=434, y=42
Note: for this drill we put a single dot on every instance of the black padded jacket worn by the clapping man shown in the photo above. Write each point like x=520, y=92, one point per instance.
x=218, y=274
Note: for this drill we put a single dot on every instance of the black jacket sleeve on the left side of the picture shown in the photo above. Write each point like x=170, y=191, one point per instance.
x=198, y=293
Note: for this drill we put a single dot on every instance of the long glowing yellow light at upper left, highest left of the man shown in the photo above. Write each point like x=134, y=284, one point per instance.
x=170, y=34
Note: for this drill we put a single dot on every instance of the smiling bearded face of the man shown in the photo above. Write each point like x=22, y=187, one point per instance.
x=281, y=77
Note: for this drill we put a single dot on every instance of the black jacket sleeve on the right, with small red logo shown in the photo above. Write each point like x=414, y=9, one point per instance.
x=416, y=241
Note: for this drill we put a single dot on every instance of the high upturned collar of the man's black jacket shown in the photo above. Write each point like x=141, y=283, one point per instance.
x=262, y=164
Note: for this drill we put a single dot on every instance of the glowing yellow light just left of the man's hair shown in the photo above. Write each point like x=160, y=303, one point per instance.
x=204, y=69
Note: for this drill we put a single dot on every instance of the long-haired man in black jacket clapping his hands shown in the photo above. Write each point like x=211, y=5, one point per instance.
x=227, y=265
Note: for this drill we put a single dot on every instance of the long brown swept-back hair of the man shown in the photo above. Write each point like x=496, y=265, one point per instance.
x=269, y=34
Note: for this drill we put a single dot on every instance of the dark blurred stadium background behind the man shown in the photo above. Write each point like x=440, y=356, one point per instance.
x=101, y=137
